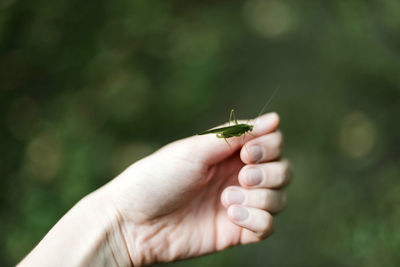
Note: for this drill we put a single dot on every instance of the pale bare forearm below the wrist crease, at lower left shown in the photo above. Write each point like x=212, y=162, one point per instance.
x=88, y=235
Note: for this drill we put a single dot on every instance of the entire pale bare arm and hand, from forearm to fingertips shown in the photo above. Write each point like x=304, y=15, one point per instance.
x=192, y=197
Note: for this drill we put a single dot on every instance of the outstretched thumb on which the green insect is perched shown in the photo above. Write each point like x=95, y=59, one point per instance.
x=210, y=150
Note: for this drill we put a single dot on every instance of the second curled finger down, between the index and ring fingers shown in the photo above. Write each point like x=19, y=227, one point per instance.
x=266, y=175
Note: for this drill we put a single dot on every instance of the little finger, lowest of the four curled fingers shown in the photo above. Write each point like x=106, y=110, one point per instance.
x=258, y=221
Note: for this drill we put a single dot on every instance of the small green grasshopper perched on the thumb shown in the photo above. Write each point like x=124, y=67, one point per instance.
x=231, y=131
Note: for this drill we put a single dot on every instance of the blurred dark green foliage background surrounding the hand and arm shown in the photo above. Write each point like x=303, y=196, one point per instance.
x=88, y=87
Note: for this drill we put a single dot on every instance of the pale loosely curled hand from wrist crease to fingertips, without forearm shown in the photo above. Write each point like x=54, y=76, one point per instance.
x=197, y=196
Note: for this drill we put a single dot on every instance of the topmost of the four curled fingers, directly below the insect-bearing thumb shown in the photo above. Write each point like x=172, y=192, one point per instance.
x=262, y=149
